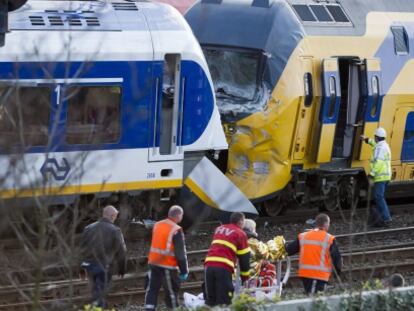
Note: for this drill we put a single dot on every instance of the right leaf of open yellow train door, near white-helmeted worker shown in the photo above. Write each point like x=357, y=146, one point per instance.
x=374, y=97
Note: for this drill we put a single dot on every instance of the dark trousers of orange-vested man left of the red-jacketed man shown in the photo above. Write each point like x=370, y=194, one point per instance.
x=168, y=279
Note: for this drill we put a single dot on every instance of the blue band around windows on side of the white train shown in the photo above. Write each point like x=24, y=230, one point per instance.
x=138, y=90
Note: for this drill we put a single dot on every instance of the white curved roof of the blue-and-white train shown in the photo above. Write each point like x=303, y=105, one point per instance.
x=104, y=30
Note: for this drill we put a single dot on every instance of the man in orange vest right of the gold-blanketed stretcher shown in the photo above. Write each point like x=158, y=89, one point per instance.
x=318, y=252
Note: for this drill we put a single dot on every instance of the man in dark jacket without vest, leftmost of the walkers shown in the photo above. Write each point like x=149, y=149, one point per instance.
x=103, y=243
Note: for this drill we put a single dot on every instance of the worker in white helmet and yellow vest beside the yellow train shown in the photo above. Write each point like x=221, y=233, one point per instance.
x=380, y=172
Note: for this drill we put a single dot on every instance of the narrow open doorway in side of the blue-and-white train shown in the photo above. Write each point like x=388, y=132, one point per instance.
x=167, y=111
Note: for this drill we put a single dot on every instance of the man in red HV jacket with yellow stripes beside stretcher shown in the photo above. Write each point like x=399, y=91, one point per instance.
x=229, y=244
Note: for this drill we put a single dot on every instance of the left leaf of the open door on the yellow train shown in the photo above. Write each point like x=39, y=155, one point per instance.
x=328, y=114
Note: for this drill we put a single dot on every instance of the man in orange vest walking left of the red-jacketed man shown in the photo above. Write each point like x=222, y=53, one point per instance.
x=167, y=255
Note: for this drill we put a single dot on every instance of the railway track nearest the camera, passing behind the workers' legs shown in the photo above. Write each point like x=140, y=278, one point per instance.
x=54, y=295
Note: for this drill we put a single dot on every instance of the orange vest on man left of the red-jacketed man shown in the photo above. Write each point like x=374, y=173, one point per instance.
x=162, y=247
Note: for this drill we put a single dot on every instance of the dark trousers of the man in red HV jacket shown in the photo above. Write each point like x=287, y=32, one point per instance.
x=218, y=286
